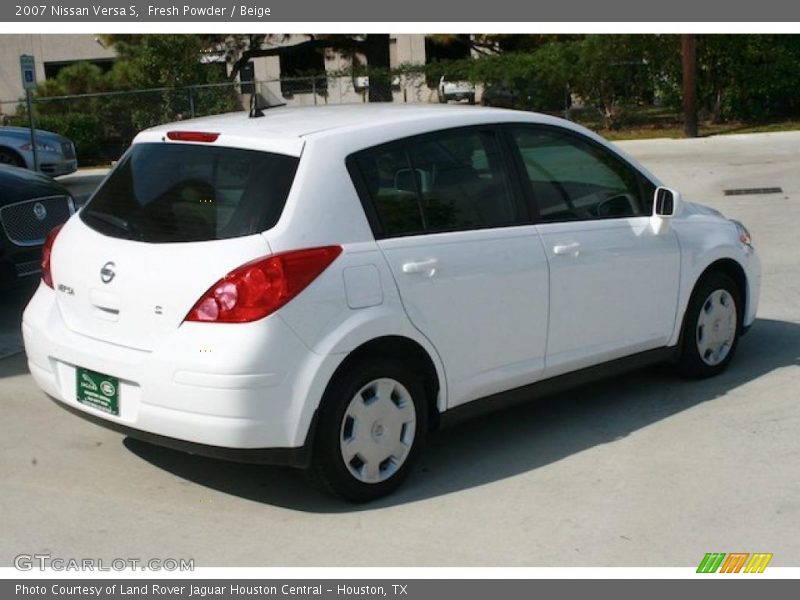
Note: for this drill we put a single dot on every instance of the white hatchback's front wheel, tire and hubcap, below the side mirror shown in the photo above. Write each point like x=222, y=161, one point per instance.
x=711, y=327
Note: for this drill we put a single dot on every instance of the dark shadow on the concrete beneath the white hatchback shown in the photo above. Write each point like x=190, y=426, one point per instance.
x=510, y=442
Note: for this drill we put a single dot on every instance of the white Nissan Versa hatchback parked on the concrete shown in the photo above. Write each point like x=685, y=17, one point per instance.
x=320, y=287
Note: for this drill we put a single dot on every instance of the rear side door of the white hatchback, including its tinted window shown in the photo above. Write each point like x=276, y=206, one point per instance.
x=472, y=275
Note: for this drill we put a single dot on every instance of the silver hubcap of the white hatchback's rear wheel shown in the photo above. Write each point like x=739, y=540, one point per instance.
x=378, y=430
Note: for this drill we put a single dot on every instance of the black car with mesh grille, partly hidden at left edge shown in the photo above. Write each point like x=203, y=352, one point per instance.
x=31, y=204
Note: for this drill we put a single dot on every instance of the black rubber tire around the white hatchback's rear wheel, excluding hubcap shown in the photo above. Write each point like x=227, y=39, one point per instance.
x=328, y=468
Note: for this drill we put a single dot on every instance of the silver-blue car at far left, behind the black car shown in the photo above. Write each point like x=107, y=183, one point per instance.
x=56, y=153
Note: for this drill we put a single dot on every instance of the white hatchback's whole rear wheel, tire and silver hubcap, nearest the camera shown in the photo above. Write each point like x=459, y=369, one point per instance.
x=372, y=424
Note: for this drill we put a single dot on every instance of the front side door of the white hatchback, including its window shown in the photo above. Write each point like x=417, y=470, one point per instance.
x=613, y=280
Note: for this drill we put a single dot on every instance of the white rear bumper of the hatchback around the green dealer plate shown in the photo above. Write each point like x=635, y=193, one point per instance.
x=247, y=401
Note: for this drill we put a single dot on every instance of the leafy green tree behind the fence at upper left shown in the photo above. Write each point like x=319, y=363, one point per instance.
x=102, y=126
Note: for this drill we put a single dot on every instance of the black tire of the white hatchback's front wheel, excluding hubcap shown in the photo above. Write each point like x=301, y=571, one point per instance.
x=691, y=362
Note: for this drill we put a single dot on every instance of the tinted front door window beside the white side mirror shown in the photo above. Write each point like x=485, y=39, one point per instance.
x=572, y=179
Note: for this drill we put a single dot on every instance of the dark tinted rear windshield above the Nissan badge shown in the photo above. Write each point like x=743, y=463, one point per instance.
x=189, y=193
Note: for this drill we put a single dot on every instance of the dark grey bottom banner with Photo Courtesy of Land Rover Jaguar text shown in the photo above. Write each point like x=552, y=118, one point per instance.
x=739, y=587
